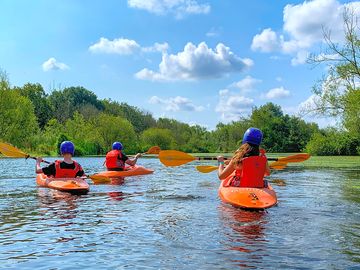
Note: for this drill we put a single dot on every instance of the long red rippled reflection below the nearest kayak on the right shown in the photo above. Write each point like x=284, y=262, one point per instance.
x=246, y=234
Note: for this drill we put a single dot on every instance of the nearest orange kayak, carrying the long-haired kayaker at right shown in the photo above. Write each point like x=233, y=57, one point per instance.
x=249, y=198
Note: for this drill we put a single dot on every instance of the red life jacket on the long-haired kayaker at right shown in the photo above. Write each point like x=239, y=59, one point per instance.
x=252, y=172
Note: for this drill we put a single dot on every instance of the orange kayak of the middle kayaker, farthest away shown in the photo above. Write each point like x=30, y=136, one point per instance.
x=106, y=176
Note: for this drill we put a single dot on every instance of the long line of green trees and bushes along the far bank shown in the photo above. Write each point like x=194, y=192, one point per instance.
x=38, y=122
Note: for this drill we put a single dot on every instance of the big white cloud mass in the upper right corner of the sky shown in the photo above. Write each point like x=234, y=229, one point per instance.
x=303, y=27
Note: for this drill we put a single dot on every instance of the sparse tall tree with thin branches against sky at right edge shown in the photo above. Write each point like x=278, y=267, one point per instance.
x=337, y=93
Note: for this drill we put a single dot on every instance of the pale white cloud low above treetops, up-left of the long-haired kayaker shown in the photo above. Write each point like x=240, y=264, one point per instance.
x=233, y=106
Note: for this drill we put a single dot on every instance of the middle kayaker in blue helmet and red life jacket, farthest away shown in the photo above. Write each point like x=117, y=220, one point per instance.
x=115, y=159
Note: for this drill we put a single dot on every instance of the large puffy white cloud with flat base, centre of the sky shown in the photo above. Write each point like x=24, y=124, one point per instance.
x=196, y=62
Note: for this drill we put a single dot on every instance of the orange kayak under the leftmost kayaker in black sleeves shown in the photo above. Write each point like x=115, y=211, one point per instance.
x=71, y=185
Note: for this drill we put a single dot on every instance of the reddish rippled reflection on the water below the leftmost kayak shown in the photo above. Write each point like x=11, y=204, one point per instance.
x=60, y=204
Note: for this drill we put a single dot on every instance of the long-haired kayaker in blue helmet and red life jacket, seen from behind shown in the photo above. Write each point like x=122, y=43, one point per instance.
x=249, y=162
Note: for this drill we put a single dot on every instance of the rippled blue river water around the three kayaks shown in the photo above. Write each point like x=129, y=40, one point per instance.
x=173, y=219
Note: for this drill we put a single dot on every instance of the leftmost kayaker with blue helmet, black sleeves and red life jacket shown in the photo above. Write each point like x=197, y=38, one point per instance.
x=67, y=168
